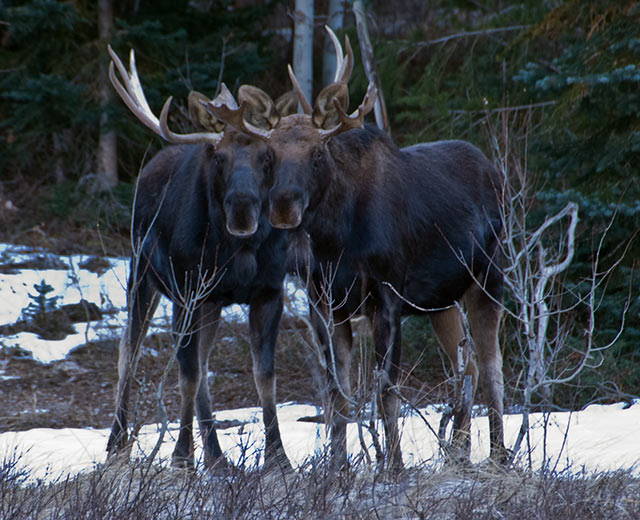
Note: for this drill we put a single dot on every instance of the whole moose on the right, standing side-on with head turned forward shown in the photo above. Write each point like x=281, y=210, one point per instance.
x=413, y=230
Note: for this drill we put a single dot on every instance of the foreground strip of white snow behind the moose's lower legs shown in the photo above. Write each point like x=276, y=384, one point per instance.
x=598, y=438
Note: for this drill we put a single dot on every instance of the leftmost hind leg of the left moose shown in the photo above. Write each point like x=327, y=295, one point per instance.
x=142, y=303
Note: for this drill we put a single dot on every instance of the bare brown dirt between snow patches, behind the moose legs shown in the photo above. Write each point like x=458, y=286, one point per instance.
x=79, y=390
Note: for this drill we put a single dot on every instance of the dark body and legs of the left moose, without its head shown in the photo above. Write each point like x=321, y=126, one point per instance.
x=184, y=251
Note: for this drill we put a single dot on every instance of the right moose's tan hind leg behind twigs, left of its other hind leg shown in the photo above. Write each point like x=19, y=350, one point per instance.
x=449, y=329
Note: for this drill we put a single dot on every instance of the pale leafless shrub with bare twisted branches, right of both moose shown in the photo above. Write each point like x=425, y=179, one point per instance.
x=543, y=304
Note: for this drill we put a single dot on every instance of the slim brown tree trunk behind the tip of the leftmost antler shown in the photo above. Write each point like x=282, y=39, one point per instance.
x=107, y=168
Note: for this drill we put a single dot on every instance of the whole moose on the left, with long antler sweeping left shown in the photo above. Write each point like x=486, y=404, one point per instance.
x=201, y=238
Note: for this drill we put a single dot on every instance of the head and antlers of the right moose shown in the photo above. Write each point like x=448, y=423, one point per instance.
x=298, y=161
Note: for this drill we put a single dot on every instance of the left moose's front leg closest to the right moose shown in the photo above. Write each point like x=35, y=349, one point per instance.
x=264, y=320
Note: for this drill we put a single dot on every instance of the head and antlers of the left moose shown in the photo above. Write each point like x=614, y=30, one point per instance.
x=235, y=158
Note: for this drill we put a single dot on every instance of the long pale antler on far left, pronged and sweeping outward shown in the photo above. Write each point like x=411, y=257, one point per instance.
x=133, y=96
